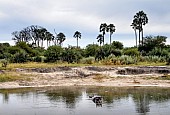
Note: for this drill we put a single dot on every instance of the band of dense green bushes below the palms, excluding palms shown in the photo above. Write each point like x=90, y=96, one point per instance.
x=153, y=49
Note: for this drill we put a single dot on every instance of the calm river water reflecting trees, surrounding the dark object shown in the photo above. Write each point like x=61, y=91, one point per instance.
x=76, y=101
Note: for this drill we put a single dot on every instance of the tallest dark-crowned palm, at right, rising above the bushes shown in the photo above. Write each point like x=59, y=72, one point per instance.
x=140, y=19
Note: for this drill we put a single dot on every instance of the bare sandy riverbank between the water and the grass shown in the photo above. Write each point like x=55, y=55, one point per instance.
x=91, y=76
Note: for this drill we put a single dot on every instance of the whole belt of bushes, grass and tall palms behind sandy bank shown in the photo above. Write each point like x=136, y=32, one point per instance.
x=29, y=48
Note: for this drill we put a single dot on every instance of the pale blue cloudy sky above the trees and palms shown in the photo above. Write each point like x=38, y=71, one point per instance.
x=85, y=16
